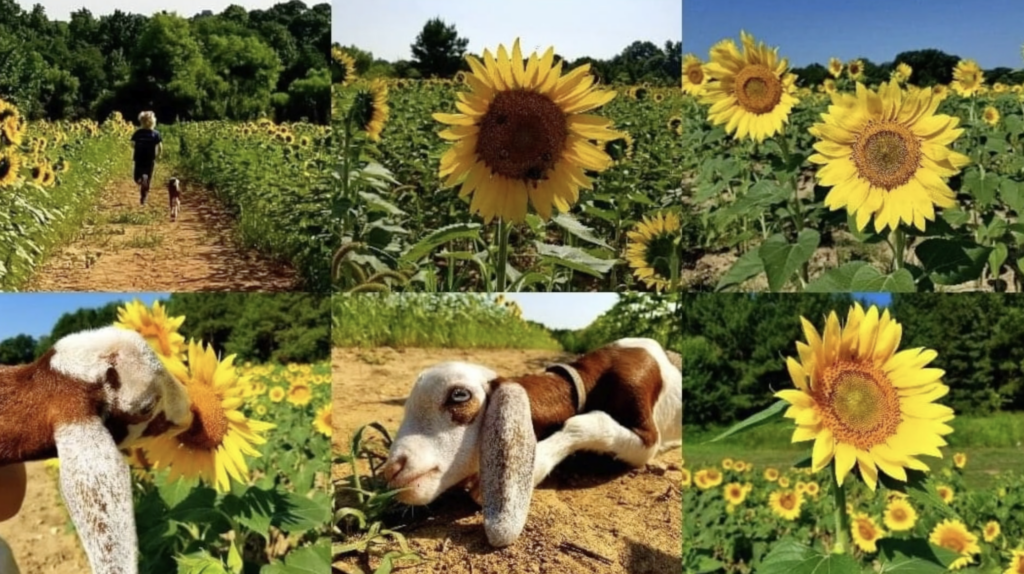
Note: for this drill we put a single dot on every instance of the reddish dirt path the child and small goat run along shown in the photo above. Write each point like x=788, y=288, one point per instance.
x=125, y=247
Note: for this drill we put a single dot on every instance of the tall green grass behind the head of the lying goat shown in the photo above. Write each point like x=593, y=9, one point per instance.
x=447, y=321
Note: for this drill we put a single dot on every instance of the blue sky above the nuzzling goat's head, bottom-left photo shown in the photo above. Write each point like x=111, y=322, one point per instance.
x=36, y=315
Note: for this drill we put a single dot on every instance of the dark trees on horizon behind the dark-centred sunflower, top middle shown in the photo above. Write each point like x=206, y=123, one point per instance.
x=439, y=52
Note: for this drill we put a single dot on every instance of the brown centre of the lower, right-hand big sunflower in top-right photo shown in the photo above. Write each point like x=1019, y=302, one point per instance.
x=887, y=155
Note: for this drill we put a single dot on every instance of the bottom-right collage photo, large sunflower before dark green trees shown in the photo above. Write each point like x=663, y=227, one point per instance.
x=852, y=433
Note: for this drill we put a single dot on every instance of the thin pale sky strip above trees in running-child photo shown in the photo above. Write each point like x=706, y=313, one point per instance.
x=62, y=10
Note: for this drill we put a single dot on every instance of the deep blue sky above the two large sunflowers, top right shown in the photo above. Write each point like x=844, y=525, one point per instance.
x=813, y=31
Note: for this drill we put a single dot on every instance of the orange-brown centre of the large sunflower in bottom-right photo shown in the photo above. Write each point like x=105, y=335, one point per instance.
x=862, y=407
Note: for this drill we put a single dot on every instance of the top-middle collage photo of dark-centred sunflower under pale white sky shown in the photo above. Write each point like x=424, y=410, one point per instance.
x=514, y=147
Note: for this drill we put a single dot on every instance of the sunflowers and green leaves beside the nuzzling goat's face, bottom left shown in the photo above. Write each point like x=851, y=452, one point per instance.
x=235, y=494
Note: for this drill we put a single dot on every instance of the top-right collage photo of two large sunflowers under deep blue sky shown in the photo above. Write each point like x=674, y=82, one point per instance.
x=882, y=157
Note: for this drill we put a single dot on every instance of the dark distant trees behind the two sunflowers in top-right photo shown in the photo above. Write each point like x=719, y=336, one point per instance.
x=931, y=67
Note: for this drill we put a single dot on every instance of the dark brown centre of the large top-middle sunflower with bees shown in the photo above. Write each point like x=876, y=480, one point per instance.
x=523, y=136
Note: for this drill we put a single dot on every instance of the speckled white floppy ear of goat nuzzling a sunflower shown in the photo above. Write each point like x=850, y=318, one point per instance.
x=96, y=483
